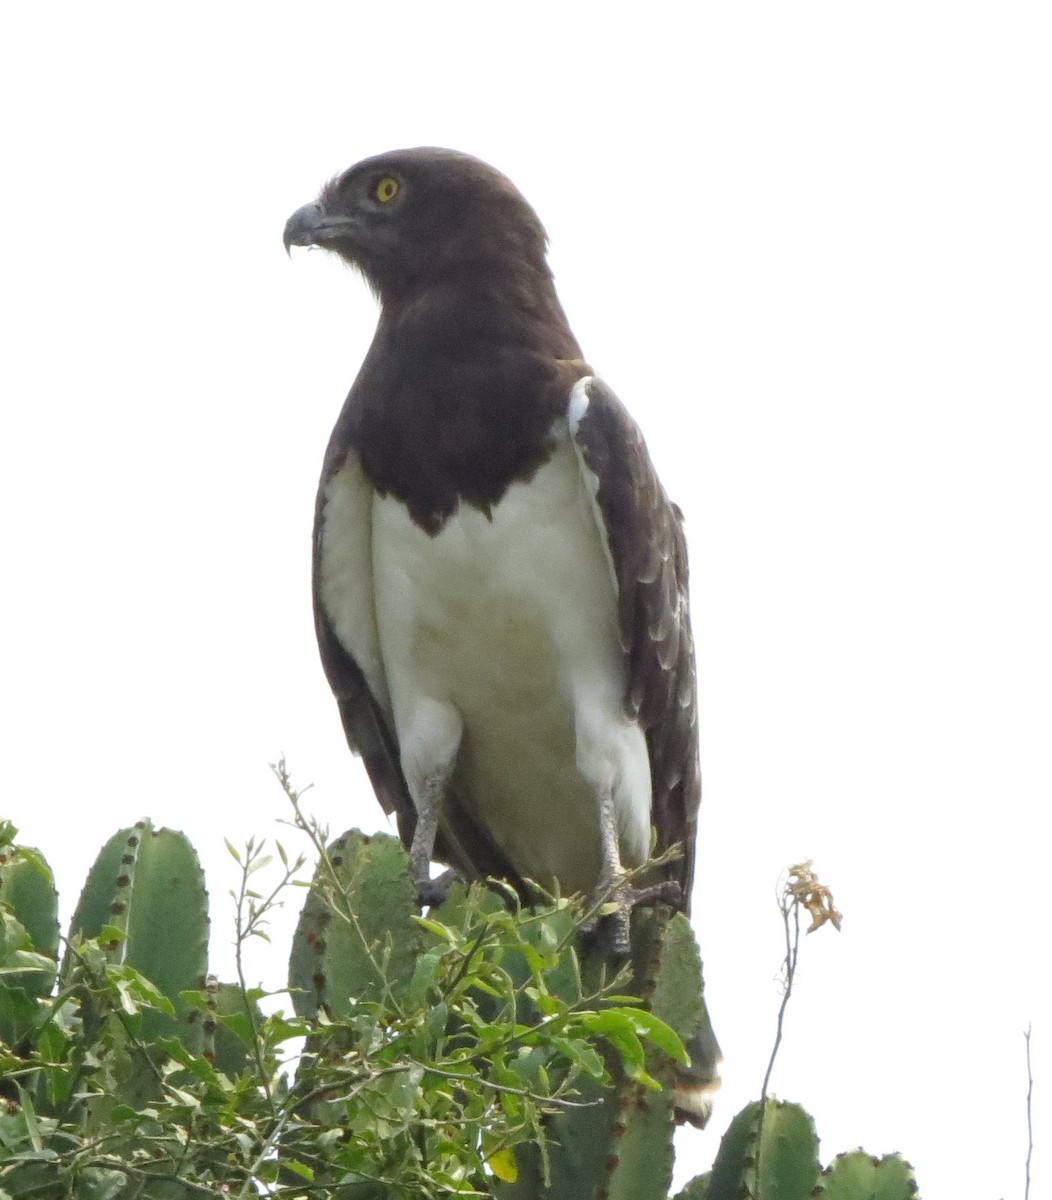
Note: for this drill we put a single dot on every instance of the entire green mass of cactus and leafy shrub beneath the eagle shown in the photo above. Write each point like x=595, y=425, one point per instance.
x=486, y=1049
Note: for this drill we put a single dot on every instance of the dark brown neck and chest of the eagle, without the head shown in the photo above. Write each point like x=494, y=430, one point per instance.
x=456, y=400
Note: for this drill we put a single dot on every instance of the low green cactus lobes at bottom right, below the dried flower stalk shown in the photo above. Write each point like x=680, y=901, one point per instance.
x=771, y=1153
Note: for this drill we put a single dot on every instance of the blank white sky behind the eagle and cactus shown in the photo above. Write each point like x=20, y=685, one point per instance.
x=809, y=245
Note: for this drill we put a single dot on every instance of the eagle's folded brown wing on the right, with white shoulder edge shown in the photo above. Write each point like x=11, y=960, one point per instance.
x=644, y=535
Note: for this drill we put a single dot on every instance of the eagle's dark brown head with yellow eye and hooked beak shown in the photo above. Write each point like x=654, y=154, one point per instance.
x=423, y=214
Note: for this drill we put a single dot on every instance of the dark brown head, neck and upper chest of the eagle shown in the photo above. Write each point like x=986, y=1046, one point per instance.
x=470, y=325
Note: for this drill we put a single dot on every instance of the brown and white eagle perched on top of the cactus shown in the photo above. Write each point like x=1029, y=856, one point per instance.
x=500, y=579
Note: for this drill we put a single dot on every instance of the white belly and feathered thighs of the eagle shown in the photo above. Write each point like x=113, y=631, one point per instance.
x=500, y=644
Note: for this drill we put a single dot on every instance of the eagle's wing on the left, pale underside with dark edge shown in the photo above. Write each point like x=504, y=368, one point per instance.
x=350, y=644
